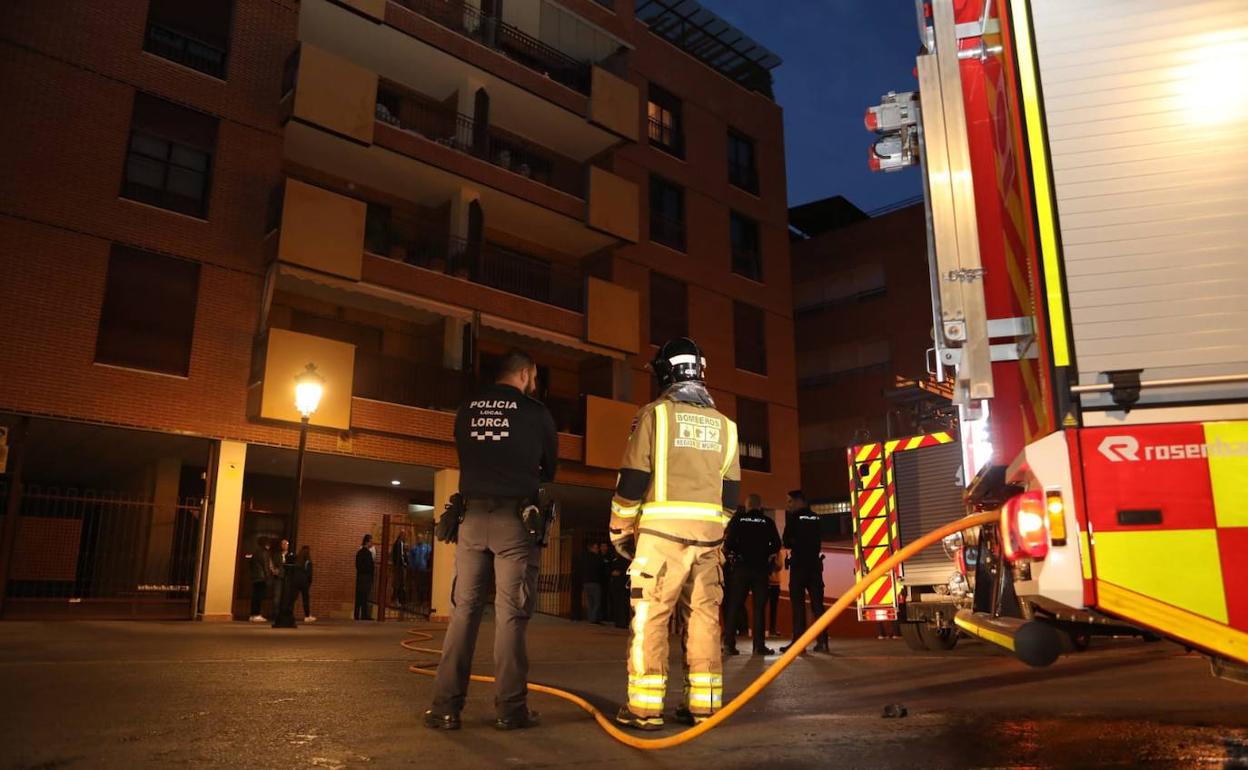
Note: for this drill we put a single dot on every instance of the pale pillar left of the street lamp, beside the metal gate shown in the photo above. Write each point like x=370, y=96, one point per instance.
x=227, y=526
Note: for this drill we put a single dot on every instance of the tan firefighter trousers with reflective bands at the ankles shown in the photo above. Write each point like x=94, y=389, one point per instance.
x=673, y=583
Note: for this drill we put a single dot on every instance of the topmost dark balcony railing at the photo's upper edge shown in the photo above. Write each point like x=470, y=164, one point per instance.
x=494, y=33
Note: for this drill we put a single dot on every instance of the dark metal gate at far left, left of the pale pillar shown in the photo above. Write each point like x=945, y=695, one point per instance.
x=103, y=555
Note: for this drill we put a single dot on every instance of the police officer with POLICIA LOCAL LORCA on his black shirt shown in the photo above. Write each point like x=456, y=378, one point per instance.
x=507, y=447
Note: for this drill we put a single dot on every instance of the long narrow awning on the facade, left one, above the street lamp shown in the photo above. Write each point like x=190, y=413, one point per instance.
x=368, y=296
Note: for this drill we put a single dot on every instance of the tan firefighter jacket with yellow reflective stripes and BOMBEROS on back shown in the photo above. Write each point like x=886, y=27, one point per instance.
x=681, y=476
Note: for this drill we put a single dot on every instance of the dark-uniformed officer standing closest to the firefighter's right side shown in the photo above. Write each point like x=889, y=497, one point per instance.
x=751, y=542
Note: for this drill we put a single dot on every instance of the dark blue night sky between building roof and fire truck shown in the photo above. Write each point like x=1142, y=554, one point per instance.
x=839, y=58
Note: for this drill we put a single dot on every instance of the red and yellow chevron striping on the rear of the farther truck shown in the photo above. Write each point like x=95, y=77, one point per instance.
x=875, y=519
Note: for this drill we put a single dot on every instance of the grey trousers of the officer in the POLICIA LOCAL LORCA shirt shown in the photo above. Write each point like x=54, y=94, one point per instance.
x=494, y=543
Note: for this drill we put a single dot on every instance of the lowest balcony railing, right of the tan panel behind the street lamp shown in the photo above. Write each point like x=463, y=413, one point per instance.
x=409, y=383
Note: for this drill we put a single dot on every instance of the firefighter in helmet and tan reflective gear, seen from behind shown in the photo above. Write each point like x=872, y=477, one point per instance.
x=680, y=484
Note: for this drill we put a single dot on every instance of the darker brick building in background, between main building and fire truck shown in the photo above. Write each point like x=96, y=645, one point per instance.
x=863, y=308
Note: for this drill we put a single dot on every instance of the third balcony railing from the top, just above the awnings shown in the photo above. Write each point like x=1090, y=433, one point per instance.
x=486, y=264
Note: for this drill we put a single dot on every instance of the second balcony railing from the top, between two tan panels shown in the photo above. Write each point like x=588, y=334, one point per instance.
x=451, y=129
